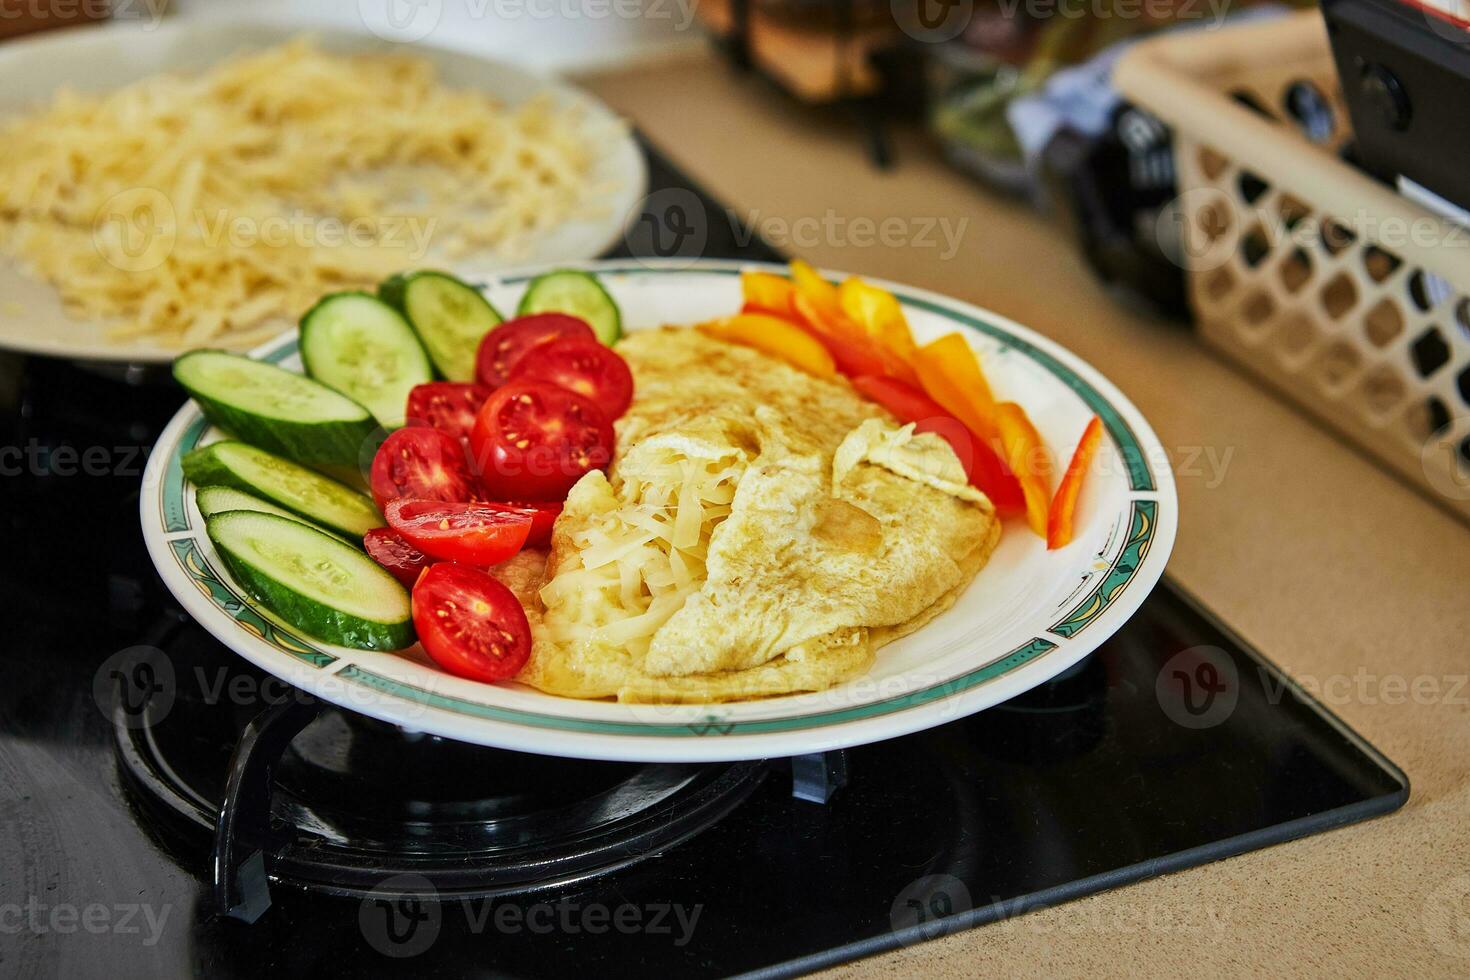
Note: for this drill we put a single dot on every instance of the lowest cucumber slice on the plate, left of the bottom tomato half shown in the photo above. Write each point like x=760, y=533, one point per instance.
x=314, y=581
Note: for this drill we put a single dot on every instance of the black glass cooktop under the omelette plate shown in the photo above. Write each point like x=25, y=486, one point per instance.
x=386, y=851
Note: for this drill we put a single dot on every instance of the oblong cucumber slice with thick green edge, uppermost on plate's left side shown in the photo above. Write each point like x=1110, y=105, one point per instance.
x=276, y=409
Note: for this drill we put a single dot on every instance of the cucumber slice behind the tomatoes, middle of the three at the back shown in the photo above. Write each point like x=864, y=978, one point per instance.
x=451, y=318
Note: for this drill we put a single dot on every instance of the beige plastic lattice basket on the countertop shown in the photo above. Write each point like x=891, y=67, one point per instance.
x=1346, y=296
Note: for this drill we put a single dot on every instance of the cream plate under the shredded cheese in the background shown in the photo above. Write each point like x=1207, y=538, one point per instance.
x=110, y=57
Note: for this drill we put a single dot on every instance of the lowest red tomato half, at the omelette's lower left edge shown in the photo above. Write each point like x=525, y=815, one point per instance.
x=470, y=624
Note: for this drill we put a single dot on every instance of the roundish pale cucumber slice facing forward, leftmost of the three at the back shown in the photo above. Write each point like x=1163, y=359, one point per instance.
x=364, y=349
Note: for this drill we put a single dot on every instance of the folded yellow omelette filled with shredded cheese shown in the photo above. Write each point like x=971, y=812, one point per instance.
x=759, y=533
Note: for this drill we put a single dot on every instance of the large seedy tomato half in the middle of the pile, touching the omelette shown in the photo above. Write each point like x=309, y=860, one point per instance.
x=533, y=442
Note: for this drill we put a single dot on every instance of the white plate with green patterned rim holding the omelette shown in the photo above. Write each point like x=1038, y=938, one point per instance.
x=1028, y=616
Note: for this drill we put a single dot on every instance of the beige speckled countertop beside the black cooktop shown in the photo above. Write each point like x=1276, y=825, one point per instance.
x=1338, y=572
